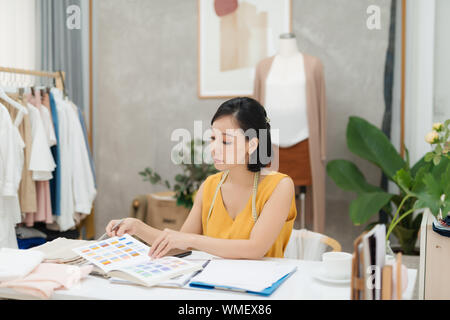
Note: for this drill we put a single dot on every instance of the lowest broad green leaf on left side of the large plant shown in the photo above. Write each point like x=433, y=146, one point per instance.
x=368, y=204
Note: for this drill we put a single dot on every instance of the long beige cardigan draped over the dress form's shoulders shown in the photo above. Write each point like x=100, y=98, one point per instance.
x=316, y=112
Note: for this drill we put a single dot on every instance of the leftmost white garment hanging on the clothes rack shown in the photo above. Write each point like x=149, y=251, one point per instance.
x=11, y=164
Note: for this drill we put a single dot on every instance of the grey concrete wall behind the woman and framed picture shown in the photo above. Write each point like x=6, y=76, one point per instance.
x=146, y=86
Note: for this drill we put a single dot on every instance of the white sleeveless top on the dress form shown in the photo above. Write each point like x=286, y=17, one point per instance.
x=285, y=100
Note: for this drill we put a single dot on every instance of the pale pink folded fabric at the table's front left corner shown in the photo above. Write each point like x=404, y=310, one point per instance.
x=47, y=277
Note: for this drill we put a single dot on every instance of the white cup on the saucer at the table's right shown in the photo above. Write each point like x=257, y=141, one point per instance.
x=337, y=265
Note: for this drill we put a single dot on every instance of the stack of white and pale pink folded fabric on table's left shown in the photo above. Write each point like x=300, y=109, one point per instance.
x=23, y=271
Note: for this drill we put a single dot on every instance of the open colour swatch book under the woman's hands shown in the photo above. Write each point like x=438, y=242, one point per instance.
x=127, y=258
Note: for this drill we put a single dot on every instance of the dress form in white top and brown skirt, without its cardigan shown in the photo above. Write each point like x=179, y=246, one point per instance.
x=286, y=108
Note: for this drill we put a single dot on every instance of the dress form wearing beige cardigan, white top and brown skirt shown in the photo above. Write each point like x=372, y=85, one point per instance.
x=300, y=167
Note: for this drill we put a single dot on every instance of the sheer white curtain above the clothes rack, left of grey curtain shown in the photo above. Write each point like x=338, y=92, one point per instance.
x=18, y=44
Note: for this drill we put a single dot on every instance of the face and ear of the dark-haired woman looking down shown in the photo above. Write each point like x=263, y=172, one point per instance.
x=229, y=147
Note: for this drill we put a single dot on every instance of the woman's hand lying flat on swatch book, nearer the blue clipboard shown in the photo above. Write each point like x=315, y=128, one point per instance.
x=169, y=239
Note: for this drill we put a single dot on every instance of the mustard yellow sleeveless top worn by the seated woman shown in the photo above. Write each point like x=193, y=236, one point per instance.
x=221, y=225
